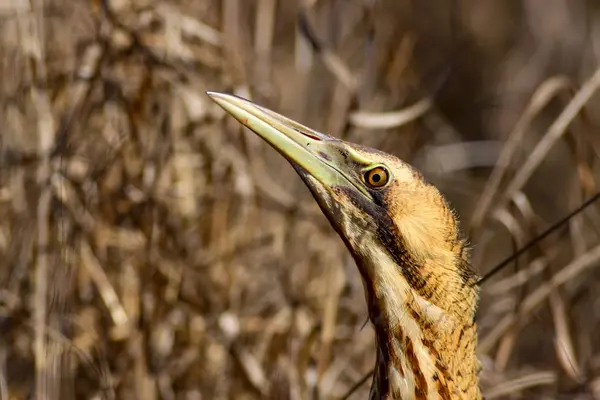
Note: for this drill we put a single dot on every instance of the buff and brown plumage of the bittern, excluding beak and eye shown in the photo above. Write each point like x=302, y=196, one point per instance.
x=421, y=294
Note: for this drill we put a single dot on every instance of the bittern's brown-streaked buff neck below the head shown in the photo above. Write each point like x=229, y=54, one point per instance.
x=426, y=338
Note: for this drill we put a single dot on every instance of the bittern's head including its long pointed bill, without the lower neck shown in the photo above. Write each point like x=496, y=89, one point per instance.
x=401, y=232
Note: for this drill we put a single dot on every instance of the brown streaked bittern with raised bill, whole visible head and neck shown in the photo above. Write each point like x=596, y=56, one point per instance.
x=420, y=291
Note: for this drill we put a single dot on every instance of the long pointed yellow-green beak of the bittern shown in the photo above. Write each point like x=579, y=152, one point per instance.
x=316, y=153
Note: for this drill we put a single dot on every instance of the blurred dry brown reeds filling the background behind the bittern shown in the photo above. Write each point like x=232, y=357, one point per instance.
x=152, y=249
